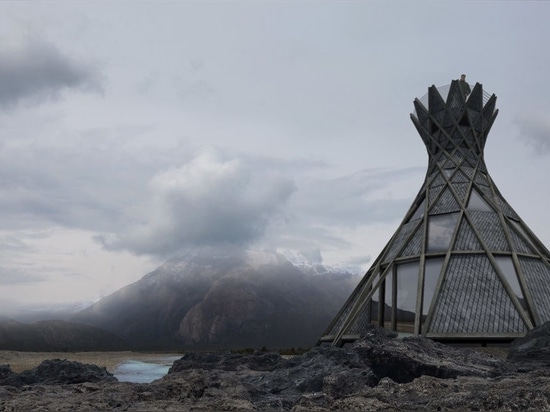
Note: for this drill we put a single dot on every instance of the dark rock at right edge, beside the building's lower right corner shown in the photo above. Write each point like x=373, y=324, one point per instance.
x=533, y=347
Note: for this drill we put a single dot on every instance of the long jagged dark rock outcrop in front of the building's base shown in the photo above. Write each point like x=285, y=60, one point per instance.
x=325, y=374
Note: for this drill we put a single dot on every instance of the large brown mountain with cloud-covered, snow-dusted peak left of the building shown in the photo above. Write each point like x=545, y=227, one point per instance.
x=208, y=299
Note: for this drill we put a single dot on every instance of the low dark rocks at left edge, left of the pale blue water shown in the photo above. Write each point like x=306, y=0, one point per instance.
x=56, y=372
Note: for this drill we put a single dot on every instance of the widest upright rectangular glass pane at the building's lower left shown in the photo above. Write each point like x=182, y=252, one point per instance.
x=407, y=284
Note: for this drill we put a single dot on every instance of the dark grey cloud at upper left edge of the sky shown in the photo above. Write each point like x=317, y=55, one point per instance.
x=32, y=70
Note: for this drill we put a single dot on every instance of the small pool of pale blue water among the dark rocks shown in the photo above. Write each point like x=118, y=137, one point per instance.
x=144, y=372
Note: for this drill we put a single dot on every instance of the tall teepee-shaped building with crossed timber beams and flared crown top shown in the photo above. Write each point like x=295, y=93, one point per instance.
x=462, y=266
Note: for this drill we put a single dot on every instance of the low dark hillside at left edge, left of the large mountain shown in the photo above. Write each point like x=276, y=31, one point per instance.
x=56, y=335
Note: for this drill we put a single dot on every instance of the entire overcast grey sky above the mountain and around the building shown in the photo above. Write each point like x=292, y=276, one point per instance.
x=130, y=131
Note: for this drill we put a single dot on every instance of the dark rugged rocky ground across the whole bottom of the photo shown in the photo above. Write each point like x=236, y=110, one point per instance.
x=378, y=372
